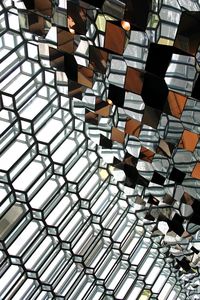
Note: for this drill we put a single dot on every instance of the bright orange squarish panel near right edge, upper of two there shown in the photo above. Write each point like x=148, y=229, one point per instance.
x=188, y=140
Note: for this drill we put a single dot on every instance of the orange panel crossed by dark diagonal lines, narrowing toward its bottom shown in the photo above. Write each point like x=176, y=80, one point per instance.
x=176, y=103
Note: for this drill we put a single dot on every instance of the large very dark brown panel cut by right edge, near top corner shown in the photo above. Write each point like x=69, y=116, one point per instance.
x=188, y=34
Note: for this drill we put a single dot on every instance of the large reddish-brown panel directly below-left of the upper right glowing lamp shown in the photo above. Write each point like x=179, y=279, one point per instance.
x=115, y=38
